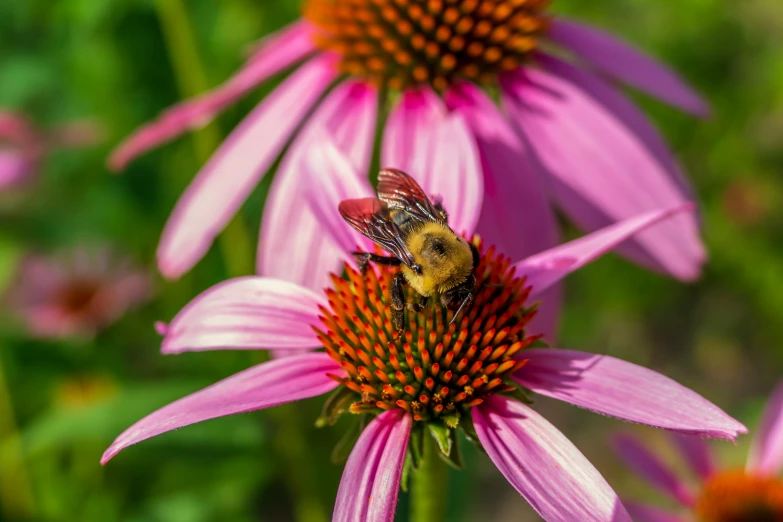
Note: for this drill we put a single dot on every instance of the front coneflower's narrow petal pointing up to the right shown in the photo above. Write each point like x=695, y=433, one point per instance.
x=549, y=267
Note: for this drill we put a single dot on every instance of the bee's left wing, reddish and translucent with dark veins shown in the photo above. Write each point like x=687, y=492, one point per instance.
x=371, y=217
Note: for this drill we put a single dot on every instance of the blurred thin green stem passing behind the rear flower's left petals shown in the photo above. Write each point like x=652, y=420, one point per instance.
x=235, y=243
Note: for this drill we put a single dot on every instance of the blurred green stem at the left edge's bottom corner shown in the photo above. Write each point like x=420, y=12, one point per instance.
x=16, y=492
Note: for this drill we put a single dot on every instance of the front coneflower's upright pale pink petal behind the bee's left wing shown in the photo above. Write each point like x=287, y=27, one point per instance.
x=329, y=178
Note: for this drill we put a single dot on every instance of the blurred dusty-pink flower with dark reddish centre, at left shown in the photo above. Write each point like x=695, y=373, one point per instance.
x=76, y=295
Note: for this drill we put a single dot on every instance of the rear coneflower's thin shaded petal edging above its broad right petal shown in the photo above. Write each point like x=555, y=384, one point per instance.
x=622, y=108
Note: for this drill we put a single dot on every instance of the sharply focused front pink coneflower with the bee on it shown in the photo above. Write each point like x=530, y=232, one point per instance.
x=433, y=377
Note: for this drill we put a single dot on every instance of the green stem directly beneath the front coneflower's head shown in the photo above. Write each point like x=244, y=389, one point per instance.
x=428, y=488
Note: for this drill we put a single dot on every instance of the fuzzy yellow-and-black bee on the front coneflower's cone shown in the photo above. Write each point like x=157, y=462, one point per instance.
x=434, y=261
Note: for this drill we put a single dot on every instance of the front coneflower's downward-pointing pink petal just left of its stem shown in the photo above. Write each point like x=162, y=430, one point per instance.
x=371, y=479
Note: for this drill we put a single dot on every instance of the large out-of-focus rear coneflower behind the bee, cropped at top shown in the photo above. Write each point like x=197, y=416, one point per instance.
x=564, y=135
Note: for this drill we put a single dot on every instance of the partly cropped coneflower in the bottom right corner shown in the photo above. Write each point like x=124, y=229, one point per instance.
x=754, y=494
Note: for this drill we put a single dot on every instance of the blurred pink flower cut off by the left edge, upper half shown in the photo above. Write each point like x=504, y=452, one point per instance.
x=23, y=146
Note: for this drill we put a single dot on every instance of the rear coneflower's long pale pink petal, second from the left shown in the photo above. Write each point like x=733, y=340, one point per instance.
x=233, y=171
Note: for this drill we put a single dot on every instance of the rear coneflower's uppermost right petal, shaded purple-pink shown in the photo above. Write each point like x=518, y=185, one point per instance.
x=627, y=64
